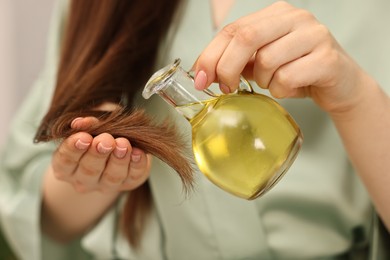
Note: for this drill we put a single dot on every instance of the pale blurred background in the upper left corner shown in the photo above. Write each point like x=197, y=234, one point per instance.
x=23, y=27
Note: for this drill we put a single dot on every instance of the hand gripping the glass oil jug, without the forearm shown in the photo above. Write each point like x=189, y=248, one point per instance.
x=286, y=50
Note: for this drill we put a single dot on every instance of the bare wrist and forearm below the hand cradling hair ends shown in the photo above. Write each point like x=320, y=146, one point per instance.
x=66, y=213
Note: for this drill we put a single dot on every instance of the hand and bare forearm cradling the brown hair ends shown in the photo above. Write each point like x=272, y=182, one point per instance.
x=86, y=176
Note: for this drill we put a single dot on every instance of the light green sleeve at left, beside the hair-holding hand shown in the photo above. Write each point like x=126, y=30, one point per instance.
x=23, y=163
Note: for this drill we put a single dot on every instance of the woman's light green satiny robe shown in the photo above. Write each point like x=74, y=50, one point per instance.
x=319, y=210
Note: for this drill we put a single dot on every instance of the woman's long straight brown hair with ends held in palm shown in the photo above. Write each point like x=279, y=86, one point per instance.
x=108, y=53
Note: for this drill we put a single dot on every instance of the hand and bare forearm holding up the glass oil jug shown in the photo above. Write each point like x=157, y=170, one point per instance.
x=288, y=51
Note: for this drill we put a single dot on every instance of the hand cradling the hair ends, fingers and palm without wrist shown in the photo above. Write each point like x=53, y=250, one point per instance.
x=101, y=163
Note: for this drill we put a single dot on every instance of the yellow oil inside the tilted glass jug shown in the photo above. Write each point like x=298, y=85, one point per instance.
x=243, y=142
